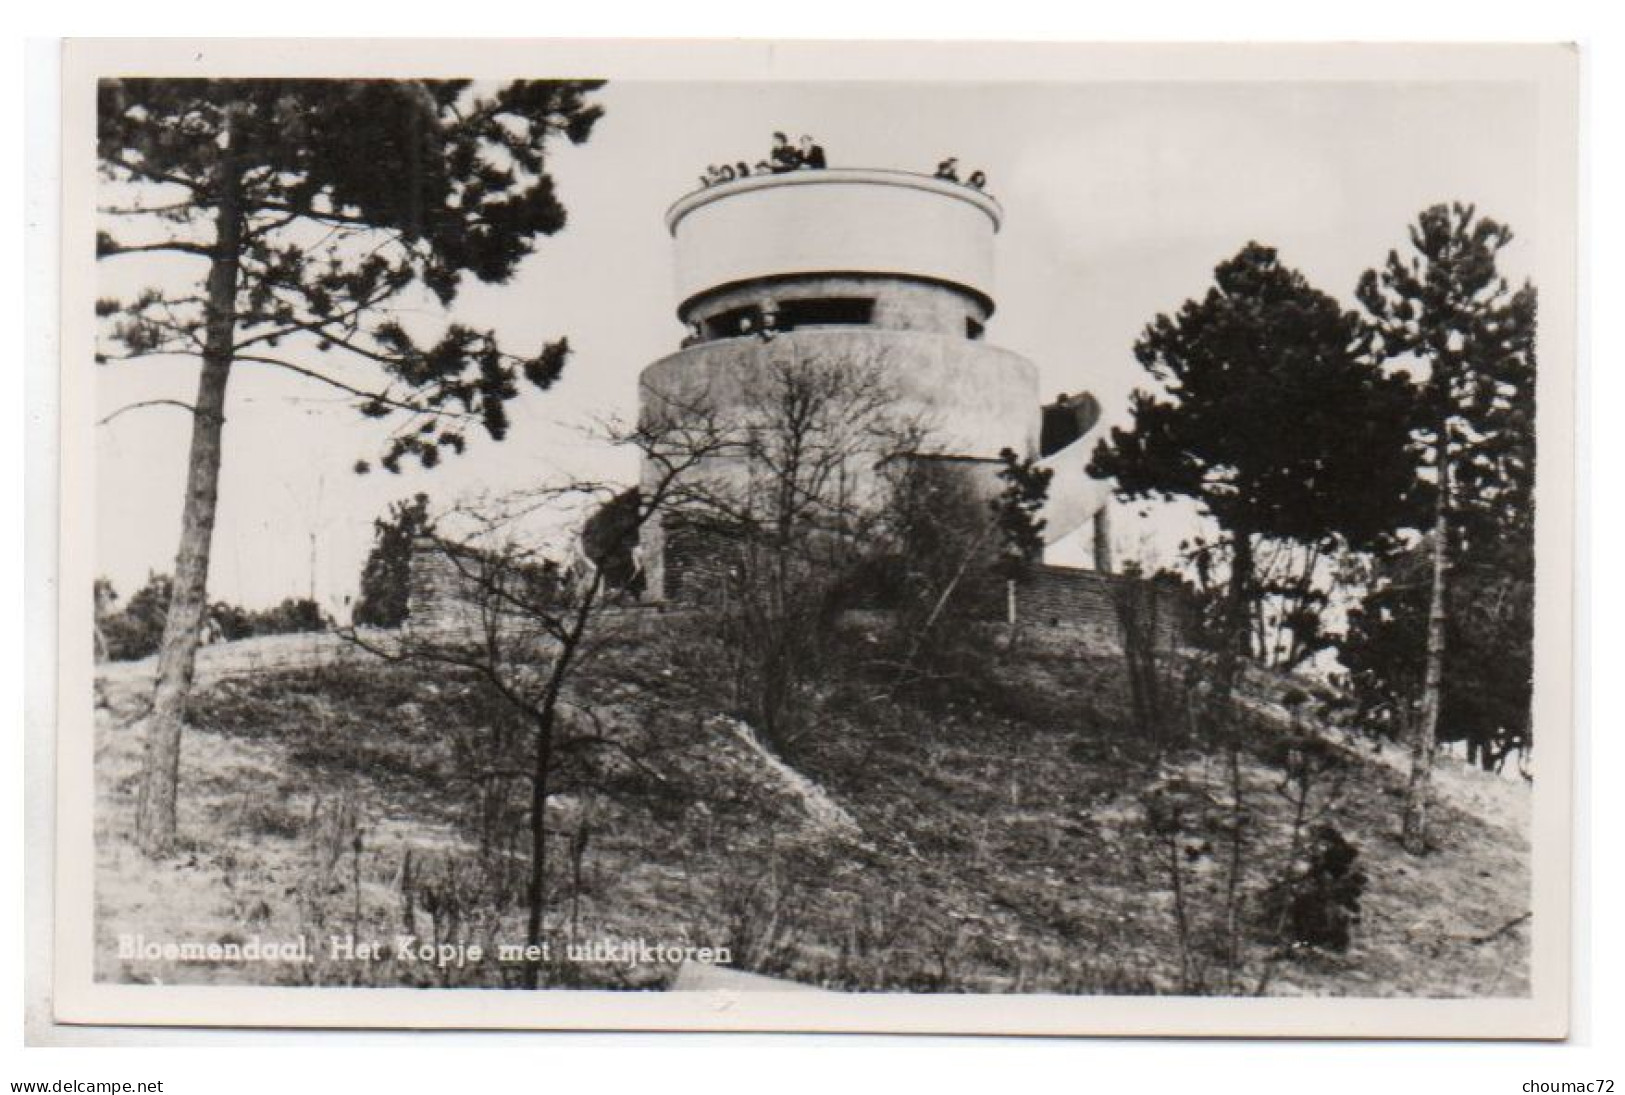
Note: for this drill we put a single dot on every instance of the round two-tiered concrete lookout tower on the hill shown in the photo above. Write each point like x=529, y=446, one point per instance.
x=862, y=266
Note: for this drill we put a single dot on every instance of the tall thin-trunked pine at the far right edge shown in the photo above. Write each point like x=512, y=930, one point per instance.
x=1447, y=313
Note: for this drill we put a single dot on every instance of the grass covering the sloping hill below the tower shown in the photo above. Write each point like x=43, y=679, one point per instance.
x=1003, y=841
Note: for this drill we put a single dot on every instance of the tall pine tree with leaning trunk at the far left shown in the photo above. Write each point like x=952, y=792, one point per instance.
x=305, y=214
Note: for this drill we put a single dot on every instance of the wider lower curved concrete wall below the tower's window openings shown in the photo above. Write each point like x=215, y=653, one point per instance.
x=974, y=399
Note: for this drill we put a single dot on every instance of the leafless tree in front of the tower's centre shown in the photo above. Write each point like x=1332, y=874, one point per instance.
x=787, y=521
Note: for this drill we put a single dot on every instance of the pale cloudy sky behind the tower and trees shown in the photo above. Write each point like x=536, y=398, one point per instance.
x=1120, y=199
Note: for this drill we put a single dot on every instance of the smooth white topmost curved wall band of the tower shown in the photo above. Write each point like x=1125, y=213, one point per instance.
x=834, y=222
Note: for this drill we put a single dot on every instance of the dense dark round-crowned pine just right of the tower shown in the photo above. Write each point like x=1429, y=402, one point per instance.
x=1270, y=420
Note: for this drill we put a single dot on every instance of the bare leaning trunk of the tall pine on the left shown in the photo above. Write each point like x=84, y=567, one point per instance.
x=155, y=816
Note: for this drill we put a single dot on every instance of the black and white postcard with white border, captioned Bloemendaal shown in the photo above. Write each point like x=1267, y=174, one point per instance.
x=966, y=550
